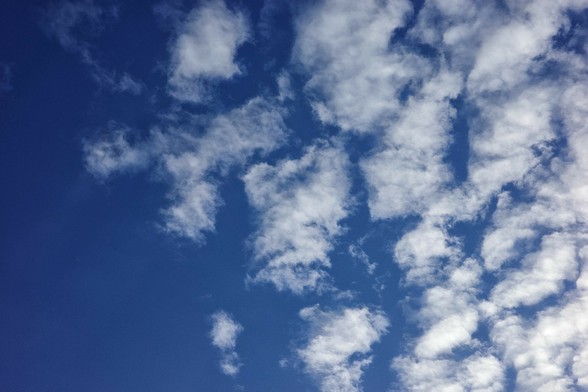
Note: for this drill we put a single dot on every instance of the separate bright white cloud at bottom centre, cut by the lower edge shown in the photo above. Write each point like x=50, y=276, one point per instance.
x=339, y=343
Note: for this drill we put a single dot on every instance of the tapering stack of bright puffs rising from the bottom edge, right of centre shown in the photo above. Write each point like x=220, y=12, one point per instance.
x=449, y=316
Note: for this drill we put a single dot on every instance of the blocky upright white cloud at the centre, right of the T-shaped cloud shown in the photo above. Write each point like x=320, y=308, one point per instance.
x=300, y=203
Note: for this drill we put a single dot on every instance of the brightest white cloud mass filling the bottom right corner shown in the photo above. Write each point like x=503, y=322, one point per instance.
x=549, y=353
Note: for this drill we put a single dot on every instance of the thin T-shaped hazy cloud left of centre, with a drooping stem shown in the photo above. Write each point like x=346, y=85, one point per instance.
x=193, y=158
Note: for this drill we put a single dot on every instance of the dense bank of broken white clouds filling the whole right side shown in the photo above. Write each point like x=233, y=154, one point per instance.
x=524, y=169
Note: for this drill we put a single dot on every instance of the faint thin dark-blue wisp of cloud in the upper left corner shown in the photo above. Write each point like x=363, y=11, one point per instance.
x=73, y=24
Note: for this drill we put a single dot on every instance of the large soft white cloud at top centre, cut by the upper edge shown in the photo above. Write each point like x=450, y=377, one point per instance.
x=355, y=79
